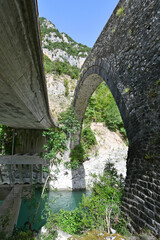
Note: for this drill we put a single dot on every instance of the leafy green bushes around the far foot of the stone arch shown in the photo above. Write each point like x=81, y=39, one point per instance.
x=57, y=140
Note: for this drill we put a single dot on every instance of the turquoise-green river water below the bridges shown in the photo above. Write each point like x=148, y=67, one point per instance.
x=67, y=200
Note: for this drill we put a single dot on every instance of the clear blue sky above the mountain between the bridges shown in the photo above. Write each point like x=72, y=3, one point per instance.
x=82, y=20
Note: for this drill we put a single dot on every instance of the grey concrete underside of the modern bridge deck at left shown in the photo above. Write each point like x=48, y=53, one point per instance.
x=23, y=94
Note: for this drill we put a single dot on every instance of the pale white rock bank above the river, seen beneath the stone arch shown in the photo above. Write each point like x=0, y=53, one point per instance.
x=110, y=149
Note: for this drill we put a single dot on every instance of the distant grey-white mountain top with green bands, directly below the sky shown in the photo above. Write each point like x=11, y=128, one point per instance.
x=60, y=47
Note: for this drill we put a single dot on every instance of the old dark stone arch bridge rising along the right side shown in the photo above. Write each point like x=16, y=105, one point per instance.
x=127, y=57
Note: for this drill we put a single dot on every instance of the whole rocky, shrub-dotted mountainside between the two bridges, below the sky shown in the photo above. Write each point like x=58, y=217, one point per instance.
x=63, y=58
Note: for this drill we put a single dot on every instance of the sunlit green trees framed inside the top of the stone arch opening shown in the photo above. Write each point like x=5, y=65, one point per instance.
x=103, y=108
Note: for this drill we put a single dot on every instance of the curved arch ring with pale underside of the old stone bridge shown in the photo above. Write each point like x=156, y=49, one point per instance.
x=89, y=81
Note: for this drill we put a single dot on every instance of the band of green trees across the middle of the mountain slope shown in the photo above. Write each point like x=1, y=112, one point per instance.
x=60, y=68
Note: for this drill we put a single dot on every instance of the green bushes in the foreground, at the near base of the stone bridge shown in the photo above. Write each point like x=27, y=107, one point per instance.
x=92, y=212
